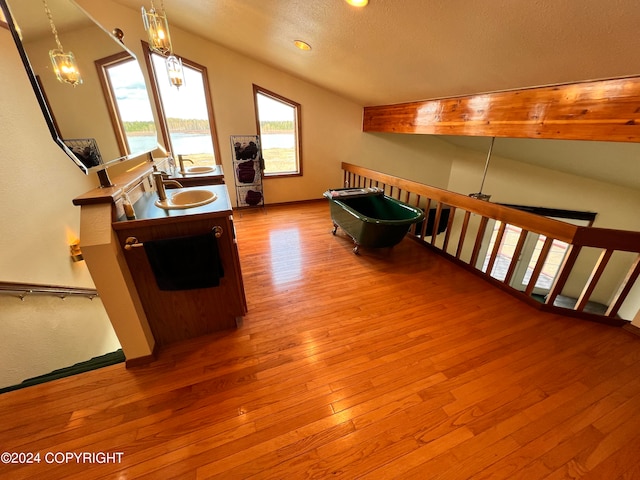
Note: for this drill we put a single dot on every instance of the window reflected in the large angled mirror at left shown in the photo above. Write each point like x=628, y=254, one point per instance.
x=128, y=103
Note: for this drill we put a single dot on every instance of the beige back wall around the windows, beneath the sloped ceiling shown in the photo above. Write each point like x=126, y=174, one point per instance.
x=331, y=125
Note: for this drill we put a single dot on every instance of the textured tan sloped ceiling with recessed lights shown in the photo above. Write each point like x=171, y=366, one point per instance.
x=403, y=50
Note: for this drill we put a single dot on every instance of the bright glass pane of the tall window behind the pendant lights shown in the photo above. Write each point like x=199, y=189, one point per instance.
x=186, y=113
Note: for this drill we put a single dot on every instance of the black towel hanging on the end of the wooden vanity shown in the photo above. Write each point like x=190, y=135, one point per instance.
x=185, y=263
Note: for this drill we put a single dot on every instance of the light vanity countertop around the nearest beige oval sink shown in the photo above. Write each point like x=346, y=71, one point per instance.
x=147, y=213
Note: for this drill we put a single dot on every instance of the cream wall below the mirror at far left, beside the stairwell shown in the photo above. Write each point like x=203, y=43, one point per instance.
x=37, y=183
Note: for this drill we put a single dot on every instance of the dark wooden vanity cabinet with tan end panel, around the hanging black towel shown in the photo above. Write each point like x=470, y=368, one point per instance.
x=143, y=316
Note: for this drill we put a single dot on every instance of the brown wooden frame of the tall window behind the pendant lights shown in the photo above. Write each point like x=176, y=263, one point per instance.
x=164, y=129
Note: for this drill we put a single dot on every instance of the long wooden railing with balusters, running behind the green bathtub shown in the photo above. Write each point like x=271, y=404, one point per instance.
x=465, y=239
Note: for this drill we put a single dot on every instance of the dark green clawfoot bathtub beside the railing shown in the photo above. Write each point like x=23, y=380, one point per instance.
x=371, y=218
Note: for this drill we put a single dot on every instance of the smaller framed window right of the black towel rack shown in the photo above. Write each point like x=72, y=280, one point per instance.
x=278, y=122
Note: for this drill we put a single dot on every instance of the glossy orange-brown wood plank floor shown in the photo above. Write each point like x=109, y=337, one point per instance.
x=391, y=364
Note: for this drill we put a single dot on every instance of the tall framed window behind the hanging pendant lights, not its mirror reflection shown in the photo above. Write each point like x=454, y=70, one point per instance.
x=185, y=113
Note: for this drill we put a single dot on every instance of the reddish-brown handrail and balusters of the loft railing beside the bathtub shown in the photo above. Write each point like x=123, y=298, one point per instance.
x=608, y=241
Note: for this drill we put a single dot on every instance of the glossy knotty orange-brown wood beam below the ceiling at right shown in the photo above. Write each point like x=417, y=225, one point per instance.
x=607, y=110
